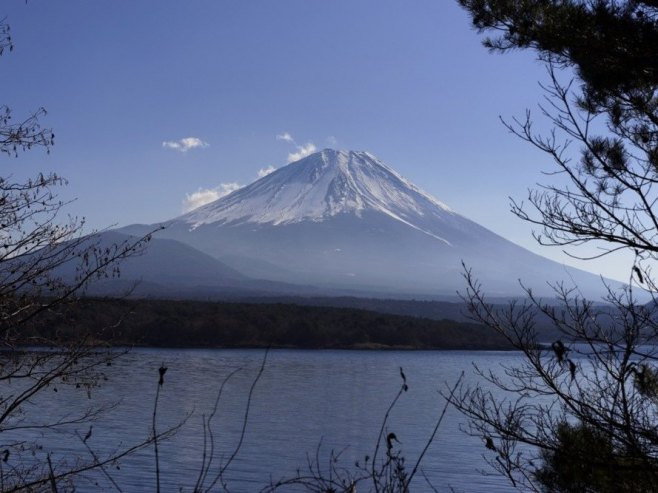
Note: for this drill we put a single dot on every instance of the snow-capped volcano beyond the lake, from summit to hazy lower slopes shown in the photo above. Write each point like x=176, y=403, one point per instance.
x=345, y=220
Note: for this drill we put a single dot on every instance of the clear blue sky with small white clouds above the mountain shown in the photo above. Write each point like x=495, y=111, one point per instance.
x=125, y=82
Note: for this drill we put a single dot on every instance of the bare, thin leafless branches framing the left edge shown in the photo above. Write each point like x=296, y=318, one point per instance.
x=37, y=245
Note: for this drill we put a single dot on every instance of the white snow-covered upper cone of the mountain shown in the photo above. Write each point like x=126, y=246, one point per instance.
x=320, y=186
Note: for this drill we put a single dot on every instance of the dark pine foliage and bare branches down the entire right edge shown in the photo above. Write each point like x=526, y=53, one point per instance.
x=581, y=412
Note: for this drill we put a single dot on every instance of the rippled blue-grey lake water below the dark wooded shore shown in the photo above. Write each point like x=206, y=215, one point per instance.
x=306, y=404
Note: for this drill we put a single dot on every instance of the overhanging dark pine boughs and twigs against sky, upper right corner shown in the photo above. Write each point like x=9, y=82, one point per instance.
x=610, y=46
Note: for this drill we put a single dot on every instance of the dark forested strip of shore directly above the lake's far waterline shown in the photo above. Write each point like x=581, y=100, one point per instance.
x=166, y=323
